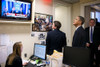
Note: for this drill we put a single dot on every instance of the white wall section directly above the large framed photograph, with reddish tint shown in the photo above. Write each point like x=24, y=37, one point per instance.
x=42, y=7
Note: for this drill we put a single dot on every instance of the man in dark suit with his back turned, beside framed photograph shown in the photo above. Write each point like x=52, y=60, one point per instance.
x=56, y=39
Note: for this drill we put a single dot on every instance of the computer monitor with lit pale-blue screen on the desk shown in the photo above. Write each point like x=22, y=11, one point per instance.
x=40, y=51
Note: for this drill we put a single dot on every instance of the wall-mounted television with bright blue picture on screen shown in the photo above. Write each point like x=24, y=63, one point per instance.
x=13, y=9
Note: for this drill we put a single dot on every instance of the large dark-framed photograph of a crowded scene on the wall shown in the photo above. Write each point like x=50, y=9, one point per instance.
x=42, y=22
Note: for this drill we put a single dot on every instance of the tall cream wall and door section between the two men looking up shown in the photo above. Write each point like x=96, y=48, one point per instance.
x=62, y=13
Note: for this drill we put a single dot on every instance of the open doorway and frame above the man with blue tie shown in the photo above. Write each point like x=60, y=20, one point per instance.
x=90, y=10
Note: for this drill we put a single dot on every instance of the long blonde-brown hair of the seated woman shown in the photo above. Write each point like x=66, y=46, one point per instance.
x=16, y=52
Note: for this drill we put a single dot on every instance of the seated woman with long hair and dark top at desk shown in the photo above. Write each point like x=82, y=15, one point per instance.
x=14, y=59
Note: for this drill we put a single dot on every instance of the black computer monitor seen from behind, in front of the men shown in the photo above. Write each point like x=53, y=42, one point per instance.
x=78, y=57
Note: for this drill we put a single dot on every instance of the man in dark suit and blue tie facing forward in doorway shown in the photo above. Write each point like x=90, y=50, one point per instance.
x=93, y=37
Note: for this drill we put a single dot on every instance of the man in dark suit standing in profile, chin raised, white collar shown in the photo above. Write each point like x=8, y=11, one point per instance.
x=79, y=38
